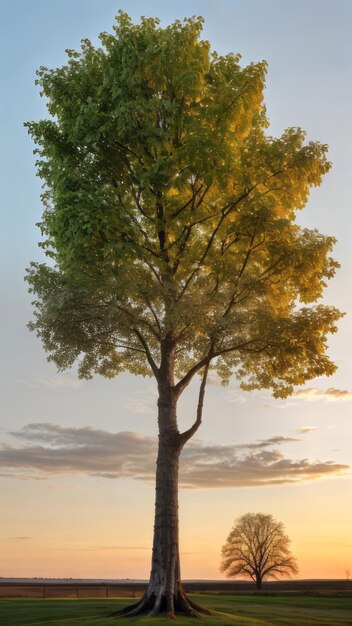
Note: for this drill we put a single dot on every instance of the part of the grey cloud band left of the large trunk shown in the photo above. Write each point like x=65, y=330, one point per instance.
x=79, y=450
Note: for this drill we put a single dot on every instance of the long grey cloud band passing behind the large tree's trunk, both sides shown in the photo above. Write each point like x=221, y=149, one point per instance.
x=49, y=449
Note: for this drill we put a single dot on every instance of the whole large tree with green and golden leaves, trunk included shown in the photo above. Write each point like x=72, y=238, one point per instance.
x=169, y=223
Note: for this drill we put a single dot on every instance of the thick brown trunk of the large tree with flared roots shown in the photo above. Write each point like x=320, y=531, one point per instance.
x=165, y=592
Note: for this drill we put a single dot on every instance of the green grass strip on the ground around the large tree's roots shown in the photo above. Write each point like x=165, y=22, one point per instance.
x=233, y=611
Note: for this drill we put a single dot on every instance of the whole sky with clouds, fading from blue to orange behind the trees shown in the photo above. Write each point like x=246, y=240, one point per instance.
x=77, y=458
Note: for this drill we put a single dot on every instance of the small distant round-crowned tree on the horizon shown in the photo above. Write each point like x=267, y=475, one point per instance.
x=257, y=547
